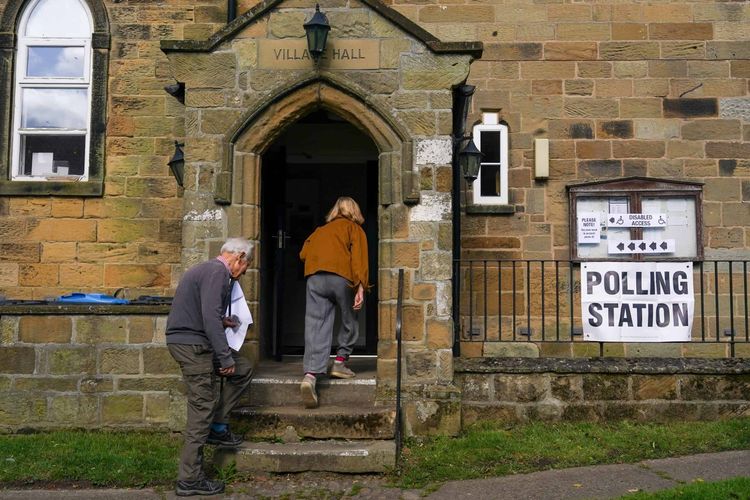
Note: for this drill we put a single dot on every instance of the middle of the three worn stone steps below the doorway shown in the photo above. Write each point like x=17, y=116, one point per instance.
x=325, y=422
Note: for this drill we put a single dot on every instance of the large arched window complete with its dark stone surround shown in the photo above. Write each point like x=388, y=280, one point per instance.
x=53, y=140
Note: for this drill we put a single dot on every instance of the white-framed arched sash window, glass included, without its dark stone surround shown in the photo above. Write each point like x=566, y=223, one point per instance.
x=53, y=95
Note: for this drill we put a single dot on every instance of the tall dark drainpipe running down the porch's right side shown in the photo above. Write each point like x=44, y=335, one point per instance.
x=461, y=104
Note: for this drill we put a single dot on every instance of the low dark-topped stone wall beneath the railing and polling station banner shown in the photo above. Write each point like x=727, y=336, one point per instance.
x=602, y=389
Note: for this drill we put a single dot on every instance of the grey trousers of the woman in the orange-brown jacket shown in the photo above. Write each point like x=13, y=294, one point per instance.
x=325, y=291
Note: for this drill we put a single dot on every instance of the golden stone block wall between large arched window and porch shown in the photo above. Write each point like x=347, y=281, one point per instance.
x=132, y=236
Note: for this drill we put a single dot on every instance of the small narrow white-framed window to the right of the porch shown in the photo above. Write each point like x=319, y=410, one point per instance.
x=491, y=138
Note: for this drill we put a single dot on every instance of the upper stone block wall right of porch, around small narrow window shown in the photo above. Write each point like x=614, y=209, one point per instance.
x=655, y=89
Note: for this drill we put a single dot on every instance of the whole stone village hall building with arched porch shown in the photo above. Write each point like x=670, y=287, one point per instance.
x=577, y=107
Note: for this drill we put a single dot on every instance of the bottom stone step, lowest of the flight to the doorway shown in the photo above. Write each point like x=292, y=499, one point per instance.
x=330, y=456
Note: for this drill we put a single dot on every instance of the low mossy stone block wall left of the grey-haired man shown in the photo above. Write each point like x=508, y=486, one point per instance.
x=88, y=371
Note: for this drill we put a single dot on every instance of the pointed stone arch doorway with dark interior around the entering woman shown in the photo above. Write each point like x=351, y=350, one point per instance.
x=261, y=175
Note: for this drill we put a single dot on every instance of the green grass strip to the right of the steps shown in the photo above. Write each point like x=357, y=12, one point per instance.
x=491, y=450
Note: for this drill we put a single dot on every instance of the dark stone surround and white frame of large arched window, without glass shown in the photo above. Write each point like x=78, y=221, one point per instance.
x=12, y=20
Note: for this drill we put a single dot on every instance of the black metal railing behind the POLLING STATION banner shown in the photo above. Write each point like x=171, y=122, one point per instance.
x=540, y=301
